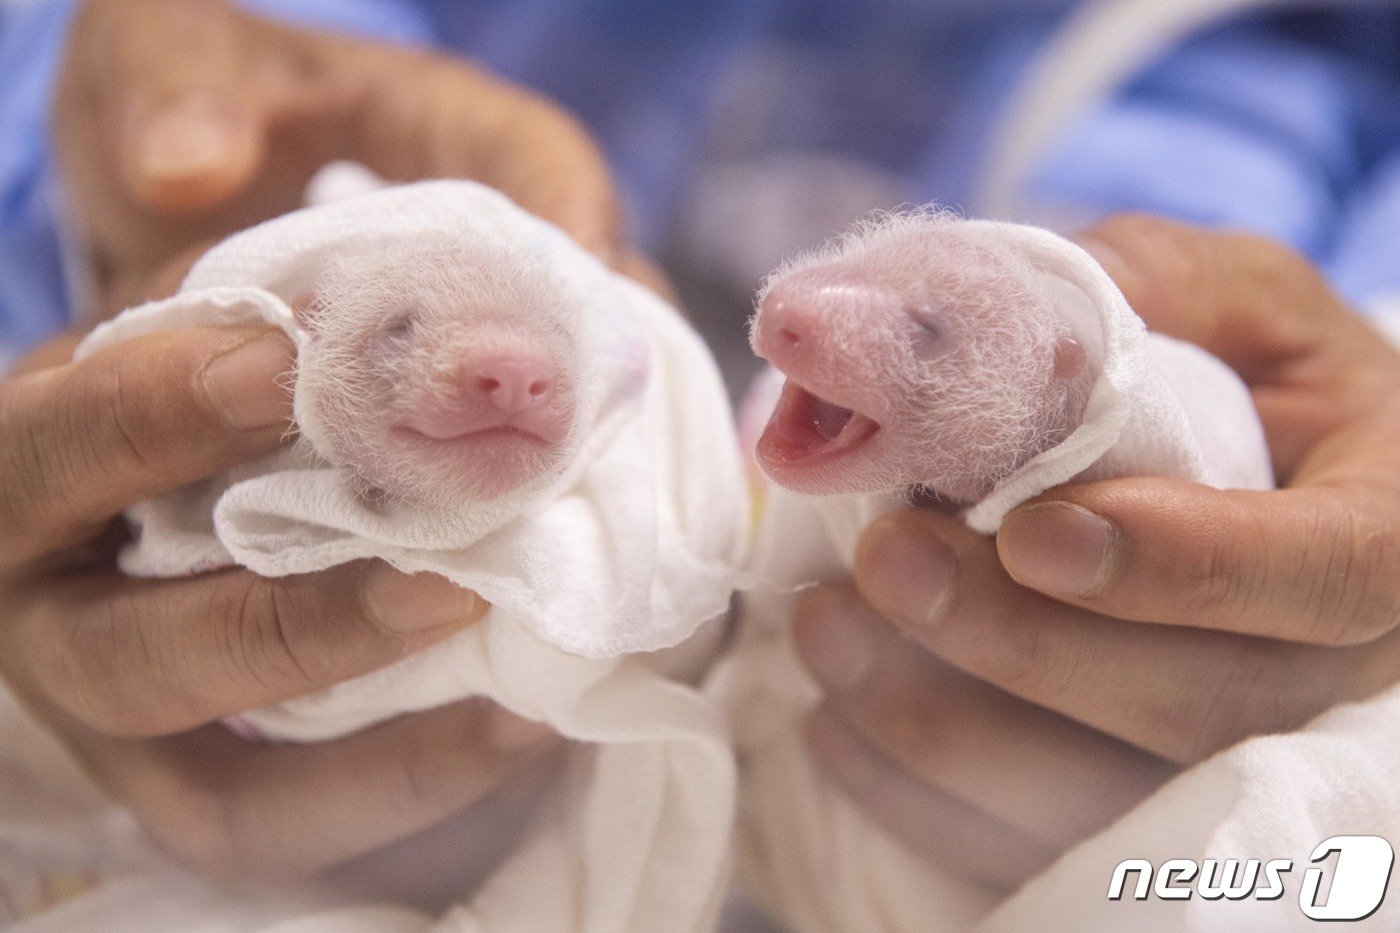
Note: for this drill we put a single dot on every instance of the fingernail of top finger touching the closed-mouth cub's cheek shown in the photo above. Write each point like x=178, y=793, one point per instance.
x=246, y=385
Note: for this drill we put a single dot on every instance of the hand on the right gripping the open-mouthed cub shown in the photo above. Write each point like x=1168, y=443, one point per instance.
x=1030, y=690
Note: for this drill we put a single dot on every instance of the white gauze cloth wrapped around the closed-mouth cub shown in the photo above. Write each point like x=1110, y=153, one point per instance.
x=632, y=550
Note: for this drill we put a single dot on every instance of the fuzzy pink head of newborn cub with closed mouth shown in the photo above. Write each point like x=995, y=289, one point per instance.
x=437, y=372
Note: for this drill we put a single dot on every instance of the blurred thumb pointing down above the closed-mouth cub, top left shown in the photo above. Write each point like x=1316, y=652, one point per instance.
x=183, y=103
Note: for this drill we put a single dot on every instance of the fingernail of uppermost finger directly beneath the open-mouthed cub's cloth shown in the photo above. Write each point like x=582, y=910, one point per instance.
x=1058, y=548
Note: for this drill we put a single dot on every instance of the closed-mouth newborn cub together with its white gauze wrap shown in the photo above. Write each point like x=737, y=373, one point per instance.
x=481, y=399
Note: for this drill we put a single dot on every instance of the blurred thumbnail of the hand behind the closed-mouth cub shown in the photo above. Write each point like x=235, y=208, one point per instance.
x=190, y=138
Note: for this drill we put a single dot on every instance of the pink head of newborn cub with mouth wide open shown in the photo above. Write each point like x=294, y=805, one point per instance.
x=918, y=357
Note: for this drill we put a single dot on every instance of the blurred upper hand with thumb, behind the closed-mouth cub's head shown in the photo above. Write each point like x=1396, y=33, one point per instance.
x=178, y=123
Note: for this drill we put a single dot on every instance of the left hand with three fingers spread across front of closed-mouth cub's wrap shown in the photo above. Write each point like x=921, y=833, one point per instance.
x=132, y=675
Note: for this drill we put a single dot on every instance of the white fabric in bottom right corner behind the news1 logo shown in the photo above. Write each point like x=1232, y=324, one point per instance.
x=1270, y=798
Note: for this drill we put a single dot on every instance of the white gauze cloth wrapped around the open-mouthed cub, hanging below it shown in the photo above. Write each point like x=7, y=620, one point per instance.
x=1158, y=407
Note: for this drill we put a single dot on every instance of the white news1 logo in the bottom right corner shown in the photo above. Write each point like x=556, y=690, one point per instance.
x=1359, y=879
